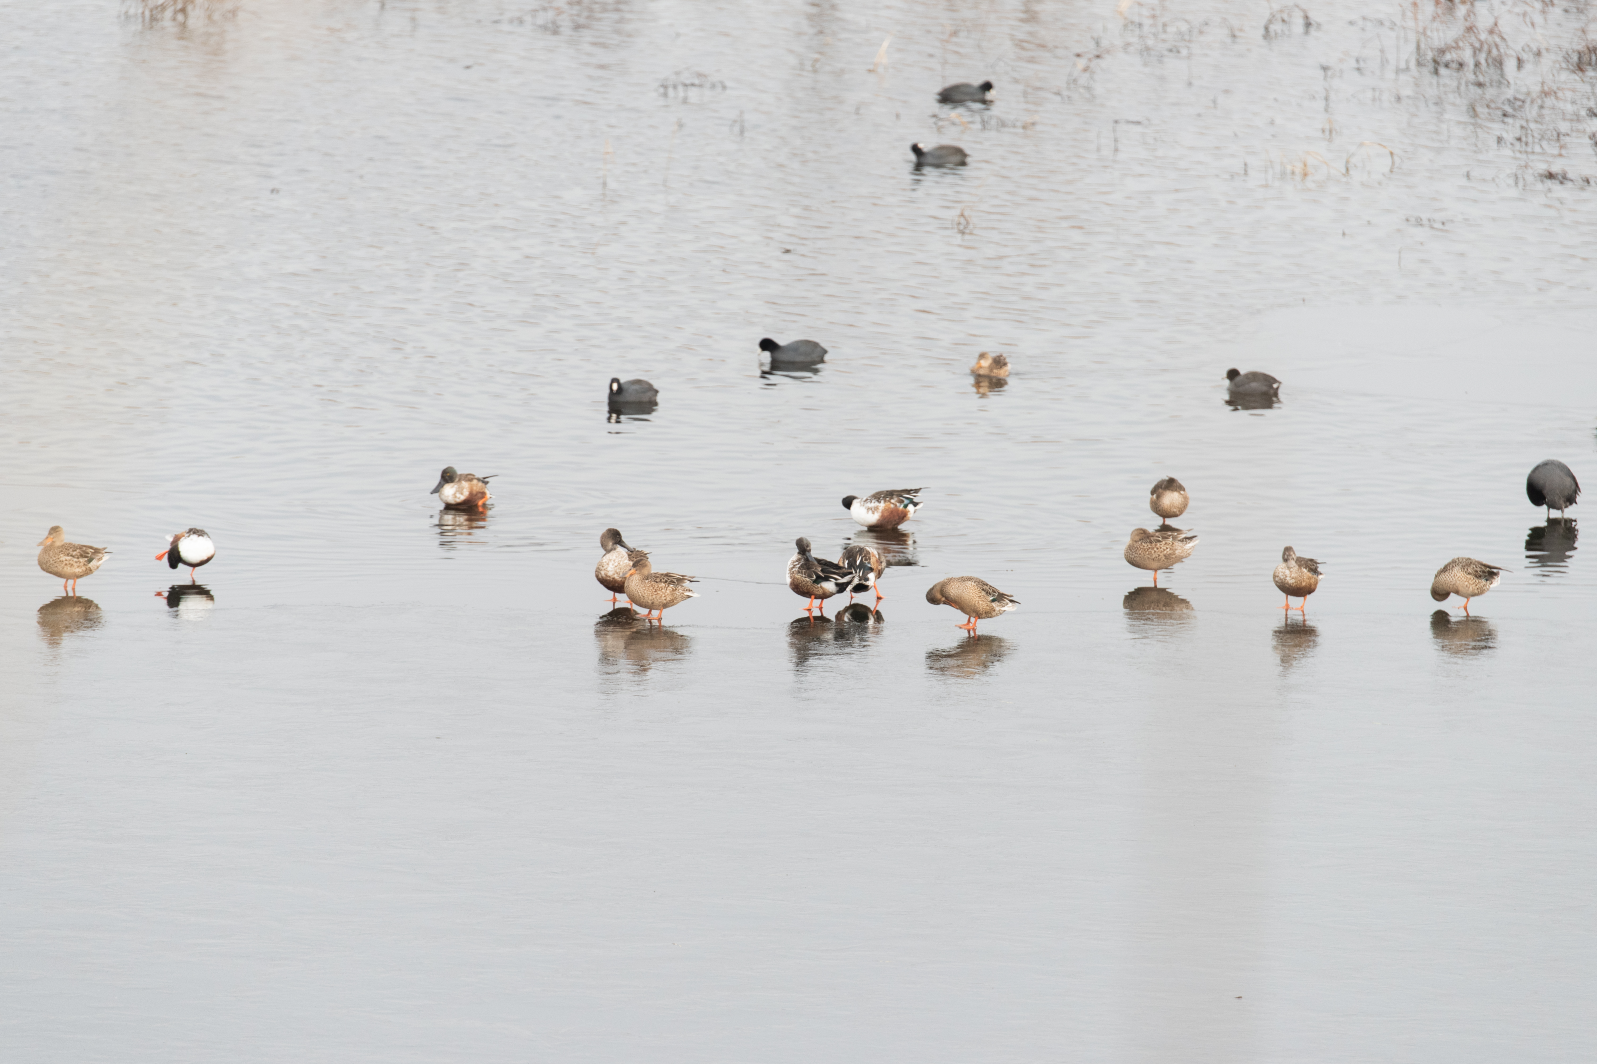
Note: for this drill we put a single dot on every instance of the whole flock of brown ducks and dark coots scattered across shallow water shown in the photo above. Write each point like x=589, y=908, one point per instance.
x=627, y=571
